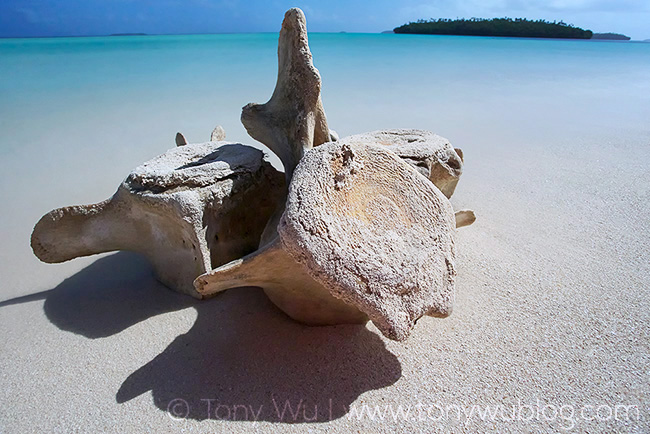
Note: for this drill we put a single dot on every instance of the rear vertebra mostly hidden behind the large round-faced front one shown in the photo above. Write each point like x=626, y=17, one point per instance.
x=430, y=154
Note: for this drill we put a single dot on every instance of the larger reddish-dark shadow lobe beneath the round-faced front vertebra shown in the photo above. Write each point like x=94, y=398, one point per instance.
x=245, y=360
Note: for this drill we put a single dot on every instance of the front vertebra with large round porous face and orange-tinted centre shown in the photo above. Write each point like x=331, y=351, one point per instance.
x=363, y=234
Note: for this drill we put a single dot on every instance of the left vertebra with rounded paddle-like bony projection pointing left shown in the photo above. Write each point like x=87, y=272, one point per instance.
x=189, y=210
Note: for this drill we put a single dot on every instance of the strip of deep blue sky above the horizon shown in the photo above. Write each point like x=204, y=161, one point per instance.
x=99, y=17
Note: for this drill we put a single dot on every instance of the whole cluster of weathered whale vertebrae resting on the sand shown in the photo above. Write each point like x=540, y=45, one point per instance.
x=360, y=234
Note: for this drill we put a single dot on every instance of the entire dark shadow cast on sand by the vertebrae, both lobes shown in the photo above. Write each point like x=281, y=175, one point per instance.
x=243, y=360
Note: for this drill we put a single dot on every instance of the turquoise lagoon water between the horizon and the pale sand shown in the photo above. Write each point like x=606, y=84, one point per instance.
x=137, y=87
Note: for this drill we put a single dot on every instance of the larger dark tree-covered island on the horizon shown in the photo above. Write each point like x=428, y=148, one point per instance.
x=508, y=27
